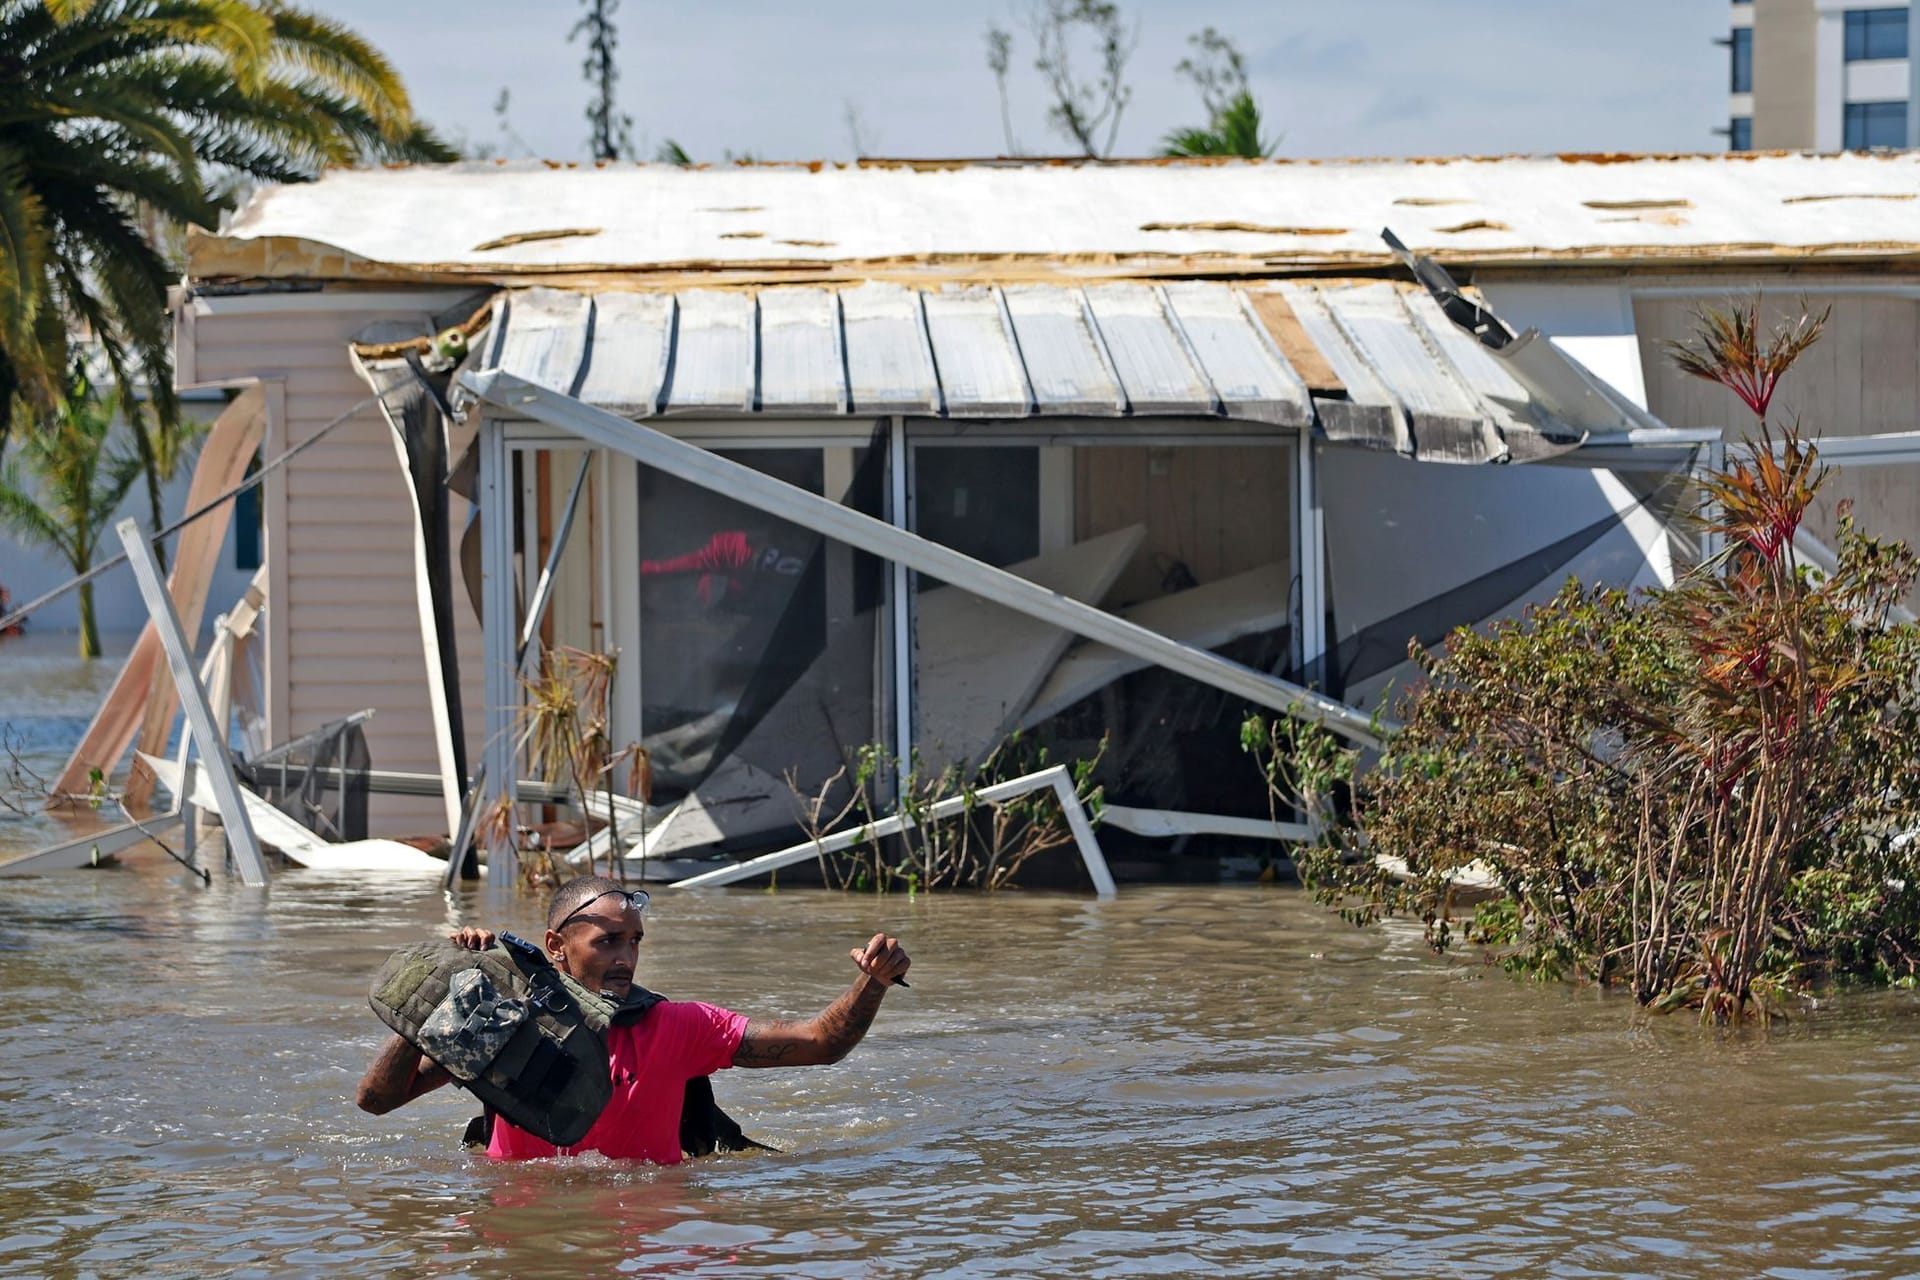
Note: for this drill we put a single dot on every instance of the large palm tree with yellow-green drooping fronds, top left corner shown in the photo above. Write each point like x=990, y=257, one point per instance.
x=118, y=116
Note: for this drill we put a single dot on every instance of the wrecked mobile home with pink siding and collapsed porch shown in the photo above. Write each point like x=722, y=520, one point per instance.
x=930, y=454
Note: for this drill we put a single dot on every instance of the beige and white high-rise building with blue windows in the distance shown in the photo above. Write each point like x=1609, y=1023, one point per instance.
x=1823, y=76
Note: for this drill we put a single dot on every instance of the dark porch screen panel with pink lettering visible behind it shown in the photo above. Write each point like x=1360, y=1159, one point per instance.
x=757, y=640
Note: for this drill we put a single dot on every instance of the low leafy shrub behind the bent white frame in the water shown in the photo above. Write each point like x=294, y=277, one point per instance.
x=980, y=845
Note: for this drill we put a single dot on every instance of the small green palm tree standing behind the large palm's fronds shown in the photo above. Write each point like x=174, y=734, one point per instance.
x=78, y=483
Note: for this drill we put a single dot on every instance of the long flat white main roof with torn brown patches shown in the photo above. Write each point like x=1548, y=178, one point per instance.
x=1045, y=220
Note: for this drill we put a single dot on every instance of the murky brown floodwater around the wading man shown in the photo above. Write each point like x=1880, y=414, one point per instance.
x=1184, y=1081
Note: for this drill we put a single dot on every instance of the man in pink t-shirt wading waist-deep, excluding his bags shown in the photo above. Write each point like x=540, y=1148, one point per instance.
x=594, y=932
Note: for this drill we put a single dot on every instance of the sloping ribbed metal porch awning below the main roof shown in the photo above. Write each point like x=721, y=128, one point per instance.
x=1195, y=350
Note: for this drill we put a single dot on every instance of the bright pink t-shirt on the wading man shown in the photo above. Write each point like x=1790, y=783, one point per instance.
x=652, y=1062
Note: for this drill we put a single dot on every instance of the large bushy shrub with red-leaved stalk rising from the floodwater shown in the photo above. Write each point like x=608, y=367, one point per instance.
x=1704, y=792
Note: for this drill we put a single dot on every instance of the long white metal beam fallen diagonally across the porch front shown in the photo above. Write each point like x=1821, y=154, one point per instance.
x=909, y=550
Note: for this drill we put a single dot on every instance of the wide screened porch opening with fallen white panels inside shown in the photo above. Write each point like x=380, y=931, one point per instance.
x=1189, y=540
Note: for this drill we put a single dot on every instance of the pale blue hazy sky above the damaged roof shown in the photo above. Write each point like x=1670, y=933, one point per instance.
x=1360, y=78
